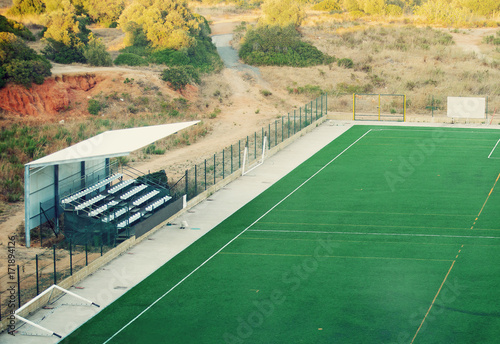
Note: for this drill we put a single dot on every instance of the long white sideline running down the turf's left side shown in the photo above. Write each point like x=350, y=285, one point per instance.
x=233, y=239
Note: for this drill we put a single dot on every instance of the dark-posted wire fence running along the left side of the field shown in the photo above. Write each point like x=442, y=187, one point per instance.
x=52, y=264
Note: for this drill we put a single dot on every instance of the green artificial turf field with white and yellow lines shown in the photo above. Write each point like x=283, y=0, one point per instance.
x=387, y=235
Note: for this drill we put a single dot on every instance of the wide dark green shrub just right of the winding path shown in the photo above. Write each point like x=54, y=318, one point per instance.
x=276, y=46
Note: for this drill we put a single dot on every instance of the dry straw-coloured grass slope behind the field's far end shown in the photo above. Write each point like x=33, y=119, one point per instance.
x=419, y=62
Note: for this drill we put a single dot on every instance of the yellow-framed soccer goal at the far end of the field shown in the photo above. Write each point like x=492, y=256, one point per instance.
x=379, y=107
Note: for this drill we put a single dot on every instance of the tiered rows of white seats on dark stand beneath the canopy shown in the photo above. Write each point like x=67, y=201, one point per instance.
x=108, y=211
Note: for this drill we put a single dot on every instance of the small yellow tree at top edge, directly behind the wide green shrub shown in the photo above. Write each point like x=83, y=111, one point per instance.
x=282, y=13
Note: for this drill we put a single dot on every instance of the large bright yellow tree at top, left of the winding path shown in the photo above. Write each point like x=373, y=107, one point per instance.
x=165, y=23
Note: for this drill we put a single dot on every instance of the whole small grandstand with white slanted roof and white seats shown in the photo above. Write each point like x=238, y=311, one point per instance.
x=99, y=202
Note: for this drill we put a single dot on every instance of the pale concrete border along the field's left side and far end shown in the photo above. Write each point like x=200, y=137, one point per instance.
x=110, y=276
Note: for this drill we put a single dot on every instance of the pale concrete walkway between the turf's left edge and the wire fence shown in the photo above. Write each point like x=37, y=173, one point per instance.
x=114, y=279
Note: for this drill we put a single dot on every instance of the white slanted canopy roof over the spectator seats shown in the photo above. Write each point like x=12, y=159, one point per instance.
x=111, y=144
